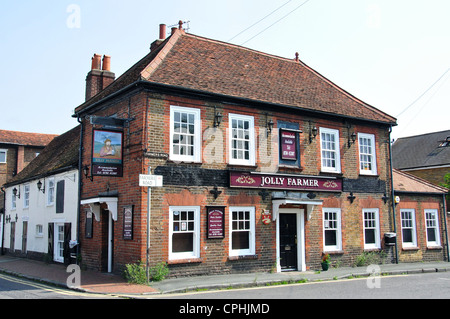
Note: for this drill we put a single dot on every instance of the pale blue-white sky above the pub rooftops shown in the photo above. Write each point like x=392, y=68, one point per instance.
x=391, y=54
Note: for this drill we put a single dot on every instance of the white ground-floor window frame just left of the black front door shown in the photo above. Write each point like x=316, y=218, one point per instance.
x=252, y=235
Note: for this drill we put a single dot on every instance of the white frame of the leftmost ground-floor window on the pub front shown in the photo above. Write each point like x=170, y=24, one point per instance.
x=195, y=253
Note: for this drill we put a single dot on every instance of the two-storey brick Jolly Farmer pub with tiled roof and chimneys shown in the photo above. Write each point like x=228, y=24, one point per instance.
x=259, y=163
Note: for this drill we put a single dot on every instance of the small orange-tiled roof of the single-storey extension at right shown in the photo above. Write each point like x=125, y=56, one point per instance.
x=404, y=182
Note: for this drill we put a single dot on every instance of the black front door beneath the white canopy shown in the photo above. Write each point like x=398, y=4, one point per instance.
x=288, y=241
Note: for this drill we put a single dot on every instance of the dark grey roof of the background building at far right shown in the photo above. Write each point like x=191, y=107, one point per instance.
x=421, y=151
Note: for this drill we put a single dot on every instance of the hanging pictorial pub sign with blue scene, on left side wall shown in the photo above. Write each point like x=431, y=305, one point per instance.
x=107, y=155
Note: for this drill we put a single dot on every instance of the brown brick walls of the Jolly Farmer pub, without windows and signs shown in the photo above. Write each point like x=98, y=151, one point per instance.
x=190, y=184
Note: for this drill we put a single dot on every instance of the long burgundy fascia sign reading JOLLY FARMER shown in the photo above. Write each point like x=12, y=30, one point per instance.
x=285, y=182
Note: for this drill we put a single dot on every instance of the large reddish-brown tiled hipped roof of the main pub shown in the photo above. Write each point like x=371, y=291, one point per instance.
x=210, y=66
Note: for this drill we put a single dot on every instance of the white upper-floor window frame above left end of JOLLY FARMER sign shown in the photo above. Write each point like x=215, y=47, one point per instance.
x=251, y=141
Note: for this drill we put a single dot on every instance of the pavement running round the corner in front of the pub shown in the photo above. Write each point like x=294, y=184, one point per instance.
x=112, y=284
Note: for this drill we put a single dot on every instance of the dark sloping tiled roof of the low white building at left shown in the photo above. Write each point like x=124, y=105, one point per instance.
x=60, y=153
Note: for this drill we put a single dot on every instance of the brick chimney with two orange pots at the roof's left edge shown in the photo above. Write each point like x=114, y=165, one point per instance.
x=100, y=75
